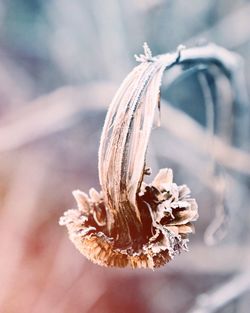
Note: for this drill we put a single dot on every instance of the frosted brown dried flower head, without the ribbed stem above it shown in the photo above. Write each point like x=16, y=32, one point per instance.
x=166, y=214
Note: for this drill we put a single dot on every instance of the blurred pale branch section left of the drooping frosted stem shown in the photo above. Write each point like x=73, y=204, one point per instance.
x=51, y=113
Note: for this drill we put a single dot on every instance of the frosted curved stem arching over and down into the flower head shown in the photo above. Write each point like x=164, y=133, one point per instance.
x=128, y=125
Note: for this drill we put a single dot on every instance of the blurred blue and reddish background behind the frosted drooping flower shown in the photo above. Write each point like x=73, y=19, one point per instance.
x=60, y=64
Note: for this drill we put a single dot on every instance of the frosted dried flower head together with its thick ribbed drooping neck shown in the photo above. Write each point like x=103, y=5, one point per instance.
x=131, y=223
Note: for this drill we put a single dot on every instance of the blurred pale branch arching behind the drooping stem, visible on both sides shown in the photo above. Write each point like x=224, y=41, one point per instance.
x=65, y=107
